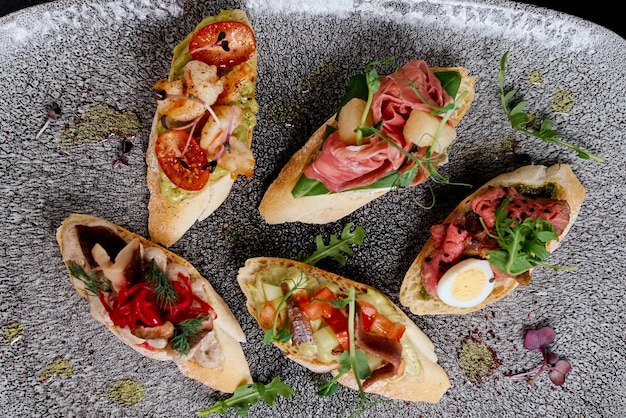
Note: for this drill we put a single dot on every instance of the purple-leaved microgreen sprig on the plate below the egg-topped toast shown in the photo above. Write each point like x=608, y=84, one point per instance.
x=557, y=367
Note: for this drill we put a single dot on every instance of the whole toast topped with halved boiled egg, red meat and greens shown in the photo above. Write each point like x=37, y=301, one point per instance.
x=492, y=240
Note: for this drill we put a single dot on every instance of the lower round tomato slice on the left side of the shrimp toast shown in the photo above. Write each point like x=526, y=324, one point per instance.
x=189, y=171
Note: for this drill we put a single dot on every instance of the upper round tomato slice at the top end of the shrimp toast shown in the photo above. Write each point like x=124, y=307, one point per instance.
x=224, y=44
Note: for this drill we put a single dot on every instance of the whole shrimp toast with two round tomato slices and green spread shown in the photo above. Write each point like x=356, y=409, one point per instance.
x=201, y=134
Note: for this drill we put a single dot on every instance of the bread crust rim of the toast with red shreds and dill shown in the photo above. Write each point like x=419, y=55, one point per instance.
x=232, y=369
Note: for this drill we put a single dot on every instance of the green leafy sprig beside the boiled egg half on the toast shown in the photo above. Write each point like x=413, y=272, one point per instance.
x=523, y=244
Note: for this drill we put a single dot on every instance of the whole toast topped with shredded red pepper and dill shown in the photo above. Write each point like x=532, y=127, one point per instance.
x=154, y=301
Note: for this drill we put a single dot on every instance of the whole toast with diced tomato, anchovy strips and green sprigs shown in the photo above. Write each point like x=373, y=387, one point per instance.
x=314, y=322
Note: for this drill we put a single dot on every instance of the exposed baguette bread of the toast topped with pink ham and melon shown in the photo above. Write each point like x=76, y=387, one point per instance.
x=279, y=205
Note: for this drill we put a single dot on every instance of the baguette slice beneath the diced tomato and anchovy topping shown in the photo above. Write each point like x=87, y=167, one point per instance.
x=422, y=380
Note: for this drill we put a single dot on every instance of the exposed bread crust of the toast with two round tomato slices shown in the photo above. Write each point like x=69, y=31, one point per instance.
x=168, y=221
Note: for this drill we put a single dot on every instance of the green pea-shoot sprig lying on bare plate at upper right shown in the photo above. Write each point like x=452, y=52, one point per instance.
x=520, y=119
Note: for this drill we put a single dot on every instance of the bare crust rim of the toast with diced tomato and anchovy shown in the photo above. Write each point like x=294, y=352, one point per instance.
x=429, y=386
